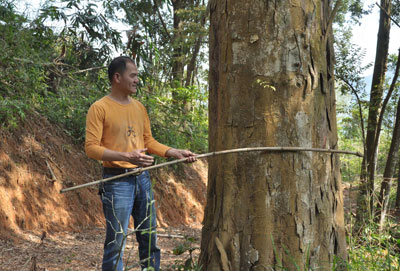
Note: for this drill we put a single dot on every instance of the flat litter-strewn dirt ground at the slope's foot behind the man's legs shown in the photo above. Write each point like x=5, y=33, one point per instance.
x=80, y=251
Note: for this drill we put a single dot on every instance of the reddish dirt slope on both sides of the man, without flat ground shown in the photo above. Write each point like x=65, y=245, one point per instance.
x=38, y=159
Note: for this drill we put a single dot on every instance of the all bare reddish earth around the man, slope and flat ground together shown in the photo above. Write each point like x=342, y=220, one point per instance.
x=36, y=161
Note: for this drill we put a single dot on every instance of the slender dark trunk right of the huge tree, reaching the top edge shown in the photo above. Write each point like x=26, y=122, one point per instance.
x=372, y=139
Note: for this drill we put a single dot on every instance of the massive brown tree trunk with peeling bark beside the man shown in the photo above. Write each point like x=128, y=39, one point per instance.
x=271, y=84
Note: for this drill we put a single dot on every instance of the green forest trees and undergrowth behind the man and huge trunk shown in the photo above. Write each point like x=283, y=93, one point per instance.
x=53, y=62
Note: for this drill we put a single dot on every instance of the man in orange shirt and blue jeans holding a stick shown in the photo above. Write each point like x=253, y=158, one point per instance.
x=118, y=133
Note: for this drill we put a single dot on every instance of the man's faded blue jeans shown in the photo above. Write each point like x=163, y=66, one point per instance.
x=131, y=195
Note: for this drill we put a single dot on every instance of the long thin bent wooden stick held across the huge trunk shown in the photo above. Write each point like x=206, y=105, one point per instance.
x=267, y=149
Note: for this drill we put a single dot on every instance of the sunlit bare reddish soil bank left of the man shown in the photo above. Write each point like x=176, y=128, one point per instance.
x=29, y=194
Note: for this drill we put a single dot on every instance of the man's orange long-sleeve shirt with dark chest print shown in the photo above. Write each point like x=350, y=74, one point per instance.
x=119, y=127
